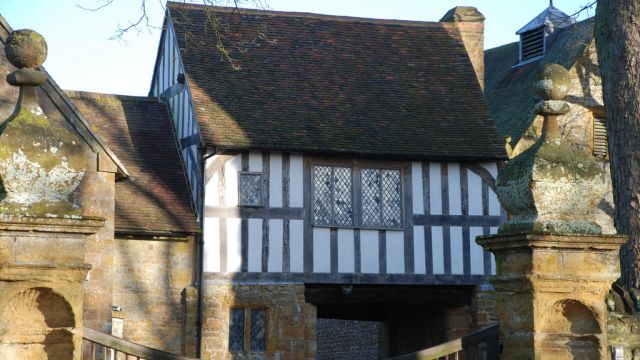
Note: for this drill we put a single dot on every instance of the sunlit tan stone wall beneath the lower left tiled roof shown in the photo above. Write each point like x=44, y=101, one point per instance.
x=152, y=284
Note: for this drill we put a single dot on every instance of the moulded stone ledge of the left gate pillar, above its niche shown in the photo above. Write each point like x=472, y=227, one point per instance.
x=79, y=225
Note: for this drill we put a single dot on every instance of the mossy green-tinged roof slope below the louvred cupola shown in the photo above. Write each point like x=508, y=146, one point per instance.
x=509, y=88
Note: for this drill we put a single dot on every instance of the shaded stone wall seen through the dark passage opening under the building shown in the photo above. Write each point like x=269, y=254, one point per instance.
x=350, y=340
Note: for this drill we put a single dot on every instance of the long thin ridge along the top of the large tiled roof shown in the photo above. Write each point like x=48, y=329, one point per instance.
x=308, y=15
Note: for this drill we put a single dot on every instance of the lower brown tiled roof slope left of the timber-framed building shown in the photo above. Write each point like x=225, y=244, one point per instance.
x=156, y=198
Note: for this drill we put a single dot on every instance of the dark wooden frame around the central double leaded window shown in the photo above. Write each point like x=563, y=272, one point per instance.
x=356, y=167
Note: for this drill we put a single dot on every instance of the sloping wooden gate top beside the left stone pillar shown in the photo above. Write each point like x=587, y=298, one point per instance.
x=97, y=345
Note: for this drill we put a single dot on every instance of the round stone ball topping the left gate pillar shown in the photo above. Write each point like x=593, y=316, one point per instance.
x=26, y=49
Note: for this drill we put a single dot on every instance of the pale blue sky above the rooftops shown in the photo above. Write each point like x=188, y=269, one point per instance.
x=81, y=56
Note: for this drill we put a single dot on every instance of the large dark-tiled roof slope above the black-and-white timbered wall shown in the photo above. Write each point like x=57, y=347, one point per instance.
x=335, y=85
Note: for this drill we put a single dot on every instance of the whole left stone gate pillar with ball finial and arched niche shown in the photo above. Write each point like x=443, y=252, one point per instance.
x=42, y=232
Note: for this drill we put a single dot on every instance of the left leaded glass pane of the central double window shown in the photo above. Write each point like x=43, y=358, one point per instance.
x=332, y=196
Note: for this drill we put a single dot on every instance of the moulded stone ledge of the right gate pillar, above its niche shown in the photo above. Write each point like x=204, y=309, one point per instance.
x=552, y=241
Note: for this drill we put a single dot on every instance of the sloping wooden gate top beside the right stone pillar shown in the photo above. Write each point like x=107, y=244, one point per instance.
x=480, y=345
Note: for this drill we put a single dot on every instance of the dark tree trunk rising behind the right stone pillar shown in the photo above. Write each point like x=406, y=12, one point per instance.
x=617, y=37
